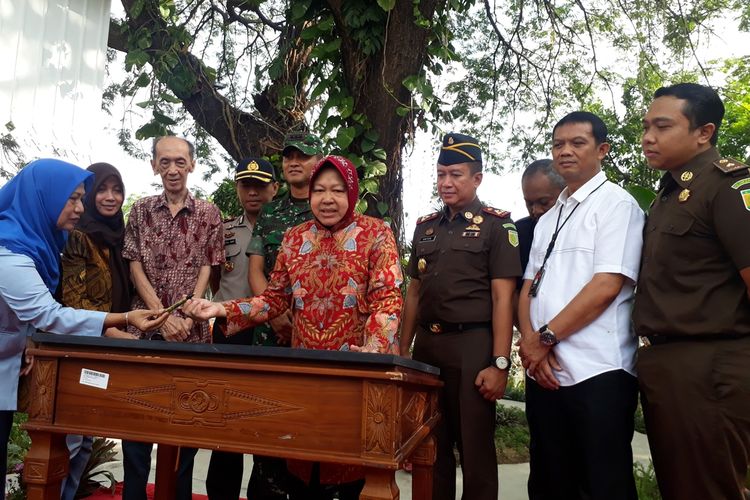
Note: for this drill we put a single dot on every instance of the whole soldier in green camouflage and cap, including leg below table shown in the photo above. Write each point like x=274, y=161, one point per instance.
x=270, y=478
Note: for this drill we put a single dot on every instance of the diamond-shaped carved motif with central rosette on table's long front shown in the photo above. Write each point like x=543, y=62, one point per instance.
x=211, y=403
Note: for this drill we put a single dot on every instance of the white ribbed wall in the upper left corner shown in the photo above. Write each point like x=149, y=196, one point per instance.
x=52, y=59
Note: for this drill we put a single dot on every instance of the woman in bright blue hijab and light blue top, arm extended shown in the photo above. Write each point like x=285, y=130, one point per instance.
x=37, y=209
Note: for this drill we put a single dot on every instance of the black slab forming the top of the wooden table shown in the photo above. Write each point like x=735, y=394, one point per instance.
x=281, y=353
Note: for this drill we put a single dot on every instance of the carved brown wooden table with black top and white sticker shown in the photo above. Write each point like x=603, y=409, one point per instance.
x=373, y=410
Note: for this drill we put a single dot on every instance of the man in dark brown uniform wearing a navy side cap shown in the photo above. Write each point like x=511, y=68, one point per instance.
x=463, y=269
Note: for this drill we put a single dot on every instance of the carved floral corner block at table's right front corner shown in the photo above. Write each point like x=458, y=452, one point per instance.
x=379, y=419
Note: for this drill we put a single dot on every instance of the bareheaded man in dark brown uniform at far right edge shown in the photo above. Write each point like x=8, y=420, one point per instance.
x=692, y=301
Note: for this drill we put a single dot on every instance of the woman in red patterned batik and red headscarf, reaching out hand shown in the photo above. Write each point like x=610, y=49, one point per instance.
x=340, y=273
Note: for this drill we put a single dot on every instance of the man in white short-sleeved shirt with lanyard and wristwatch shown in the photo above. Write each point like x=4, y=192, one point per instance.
x=577, y=342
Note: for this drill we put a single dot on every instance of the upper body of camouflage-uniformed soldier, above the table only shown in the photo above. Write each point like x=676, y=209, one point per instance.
x=301, y=153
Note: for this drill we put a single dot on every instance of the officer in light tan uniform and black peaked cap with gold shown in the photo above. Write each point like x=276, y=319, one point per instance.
x=256, y=184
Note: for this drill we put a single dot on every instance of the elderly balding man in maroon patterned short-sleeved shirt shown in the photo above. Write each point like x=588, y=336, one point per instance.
x=171, y=240
